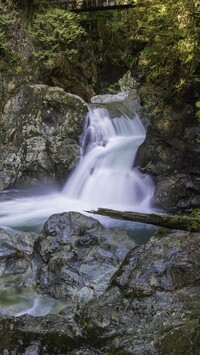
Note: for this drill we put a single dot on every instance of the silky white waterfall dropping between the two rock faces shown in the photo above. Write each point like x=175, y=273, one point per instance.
x=105, y=176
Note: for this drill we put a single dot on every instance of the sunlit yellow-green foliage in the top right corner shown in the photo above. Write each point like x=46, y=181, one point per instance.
x=170, y=34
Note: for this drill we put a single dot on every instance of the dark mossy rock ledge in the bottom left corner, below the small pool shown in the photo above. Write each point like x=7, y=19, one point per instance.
x=51, y=335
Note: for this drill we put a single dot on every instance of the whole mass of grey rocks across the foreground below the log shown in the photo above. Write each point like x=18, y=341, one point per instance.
x=118, y=298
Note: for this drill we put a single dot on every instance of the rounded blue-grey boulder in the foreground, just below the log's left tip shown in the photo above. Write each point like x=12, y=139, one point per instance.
x=79, y=257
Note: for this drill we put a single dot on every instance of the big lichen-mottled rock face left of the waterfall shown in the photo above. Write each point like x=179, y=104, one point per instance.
x=40, y=134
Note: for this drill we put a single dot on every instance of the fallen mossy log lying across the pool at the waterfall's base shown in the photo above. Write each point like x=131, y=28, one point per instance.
x=186, y=223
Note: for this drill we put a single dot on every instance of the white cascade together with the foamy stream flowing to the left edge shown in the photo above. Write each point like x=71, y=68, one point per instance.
x=105, y=176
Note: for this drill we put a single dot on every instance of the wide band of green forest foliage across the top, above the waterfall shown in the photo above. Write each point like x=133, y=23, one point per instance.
x=157, y=39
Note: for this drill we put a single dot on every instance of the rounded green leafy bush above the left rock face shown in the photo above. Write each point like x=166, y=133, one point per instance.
x=55, y=35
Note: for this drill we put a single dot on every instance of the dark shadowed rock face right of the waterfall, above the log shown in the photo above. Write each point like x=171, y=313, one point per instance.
x=170, y=154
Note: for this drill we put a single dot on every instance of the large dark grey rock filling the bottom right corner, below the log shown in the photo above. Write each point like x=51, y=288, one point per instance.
x=152, y=303
